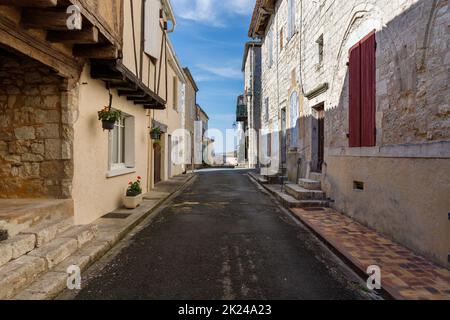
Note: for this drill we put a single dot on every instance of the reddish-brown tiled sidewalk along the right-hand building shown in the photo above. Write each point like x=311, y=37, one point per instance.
x=405, y=275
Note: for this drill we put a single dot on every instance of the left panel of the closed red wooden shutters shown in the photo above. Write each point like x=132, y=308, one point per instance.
x=355, y=96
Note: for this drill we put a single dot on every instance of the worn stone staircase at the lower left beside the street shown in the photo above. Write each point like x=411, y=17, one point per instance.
x=33, y=263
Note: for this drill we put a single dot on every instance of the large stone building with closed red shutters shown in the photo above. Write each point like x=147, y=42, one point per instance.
x=373, y=117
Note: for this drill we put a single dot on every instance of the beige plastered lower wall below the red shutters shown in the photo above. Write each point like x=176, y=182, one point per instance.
x=407, y=199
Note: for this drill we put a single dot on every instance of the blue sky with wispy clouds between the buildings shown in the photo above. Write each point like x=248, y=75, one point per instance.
x=209, y=39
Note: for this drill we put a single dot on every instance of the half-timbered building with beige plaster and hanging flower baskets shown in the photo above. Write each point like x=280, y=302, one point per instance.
x=55, y=159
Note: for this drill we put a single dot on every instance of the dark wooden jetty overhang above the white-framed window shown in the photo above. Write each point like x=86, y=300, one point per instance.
x=117, y=76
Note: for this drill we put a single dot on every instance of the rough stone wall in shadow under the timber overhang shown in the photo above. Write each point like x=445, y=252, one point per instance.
x=35, y=145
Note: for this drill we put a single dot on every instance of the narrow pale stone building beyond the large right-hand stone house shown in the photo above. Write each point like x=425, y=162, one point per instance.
x=251, y=67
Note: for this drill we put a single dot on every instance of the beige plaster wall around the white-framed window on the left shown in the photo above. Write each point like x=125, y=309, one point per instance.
x=95, y=194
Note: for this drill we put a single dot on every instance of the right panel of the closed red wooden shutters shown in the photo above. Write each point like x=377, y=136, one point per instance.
x=368, y=90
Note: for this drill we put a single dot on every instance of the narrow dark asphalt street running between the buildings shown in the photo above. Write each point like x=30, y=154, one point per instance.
x=221, y=238
